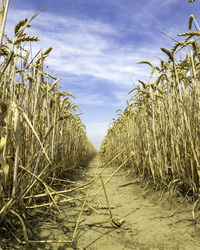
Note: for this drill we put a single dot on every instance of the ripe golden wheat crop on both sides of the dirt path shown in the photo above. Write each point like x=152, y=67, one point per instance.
x=43, y=140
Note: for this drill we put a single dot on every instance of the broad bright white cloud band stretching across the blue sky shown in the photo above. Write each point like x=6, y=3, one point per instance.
x=86, y=47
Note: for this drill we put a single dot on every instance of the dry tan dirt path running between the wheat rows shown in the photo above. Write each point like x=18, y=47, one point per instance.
x=147, y=223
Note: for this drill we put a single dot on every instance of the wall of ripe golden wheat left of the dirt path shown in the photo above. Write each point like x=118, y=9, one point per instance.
x=42, y=138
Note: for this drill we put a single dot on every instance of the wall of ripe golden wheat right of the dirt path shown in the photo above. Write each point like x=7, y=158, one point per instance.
x=160, y=124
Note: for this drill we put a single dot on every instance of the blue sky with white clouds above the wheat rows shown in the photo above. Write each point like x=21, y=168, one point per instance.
x=97, y=44
